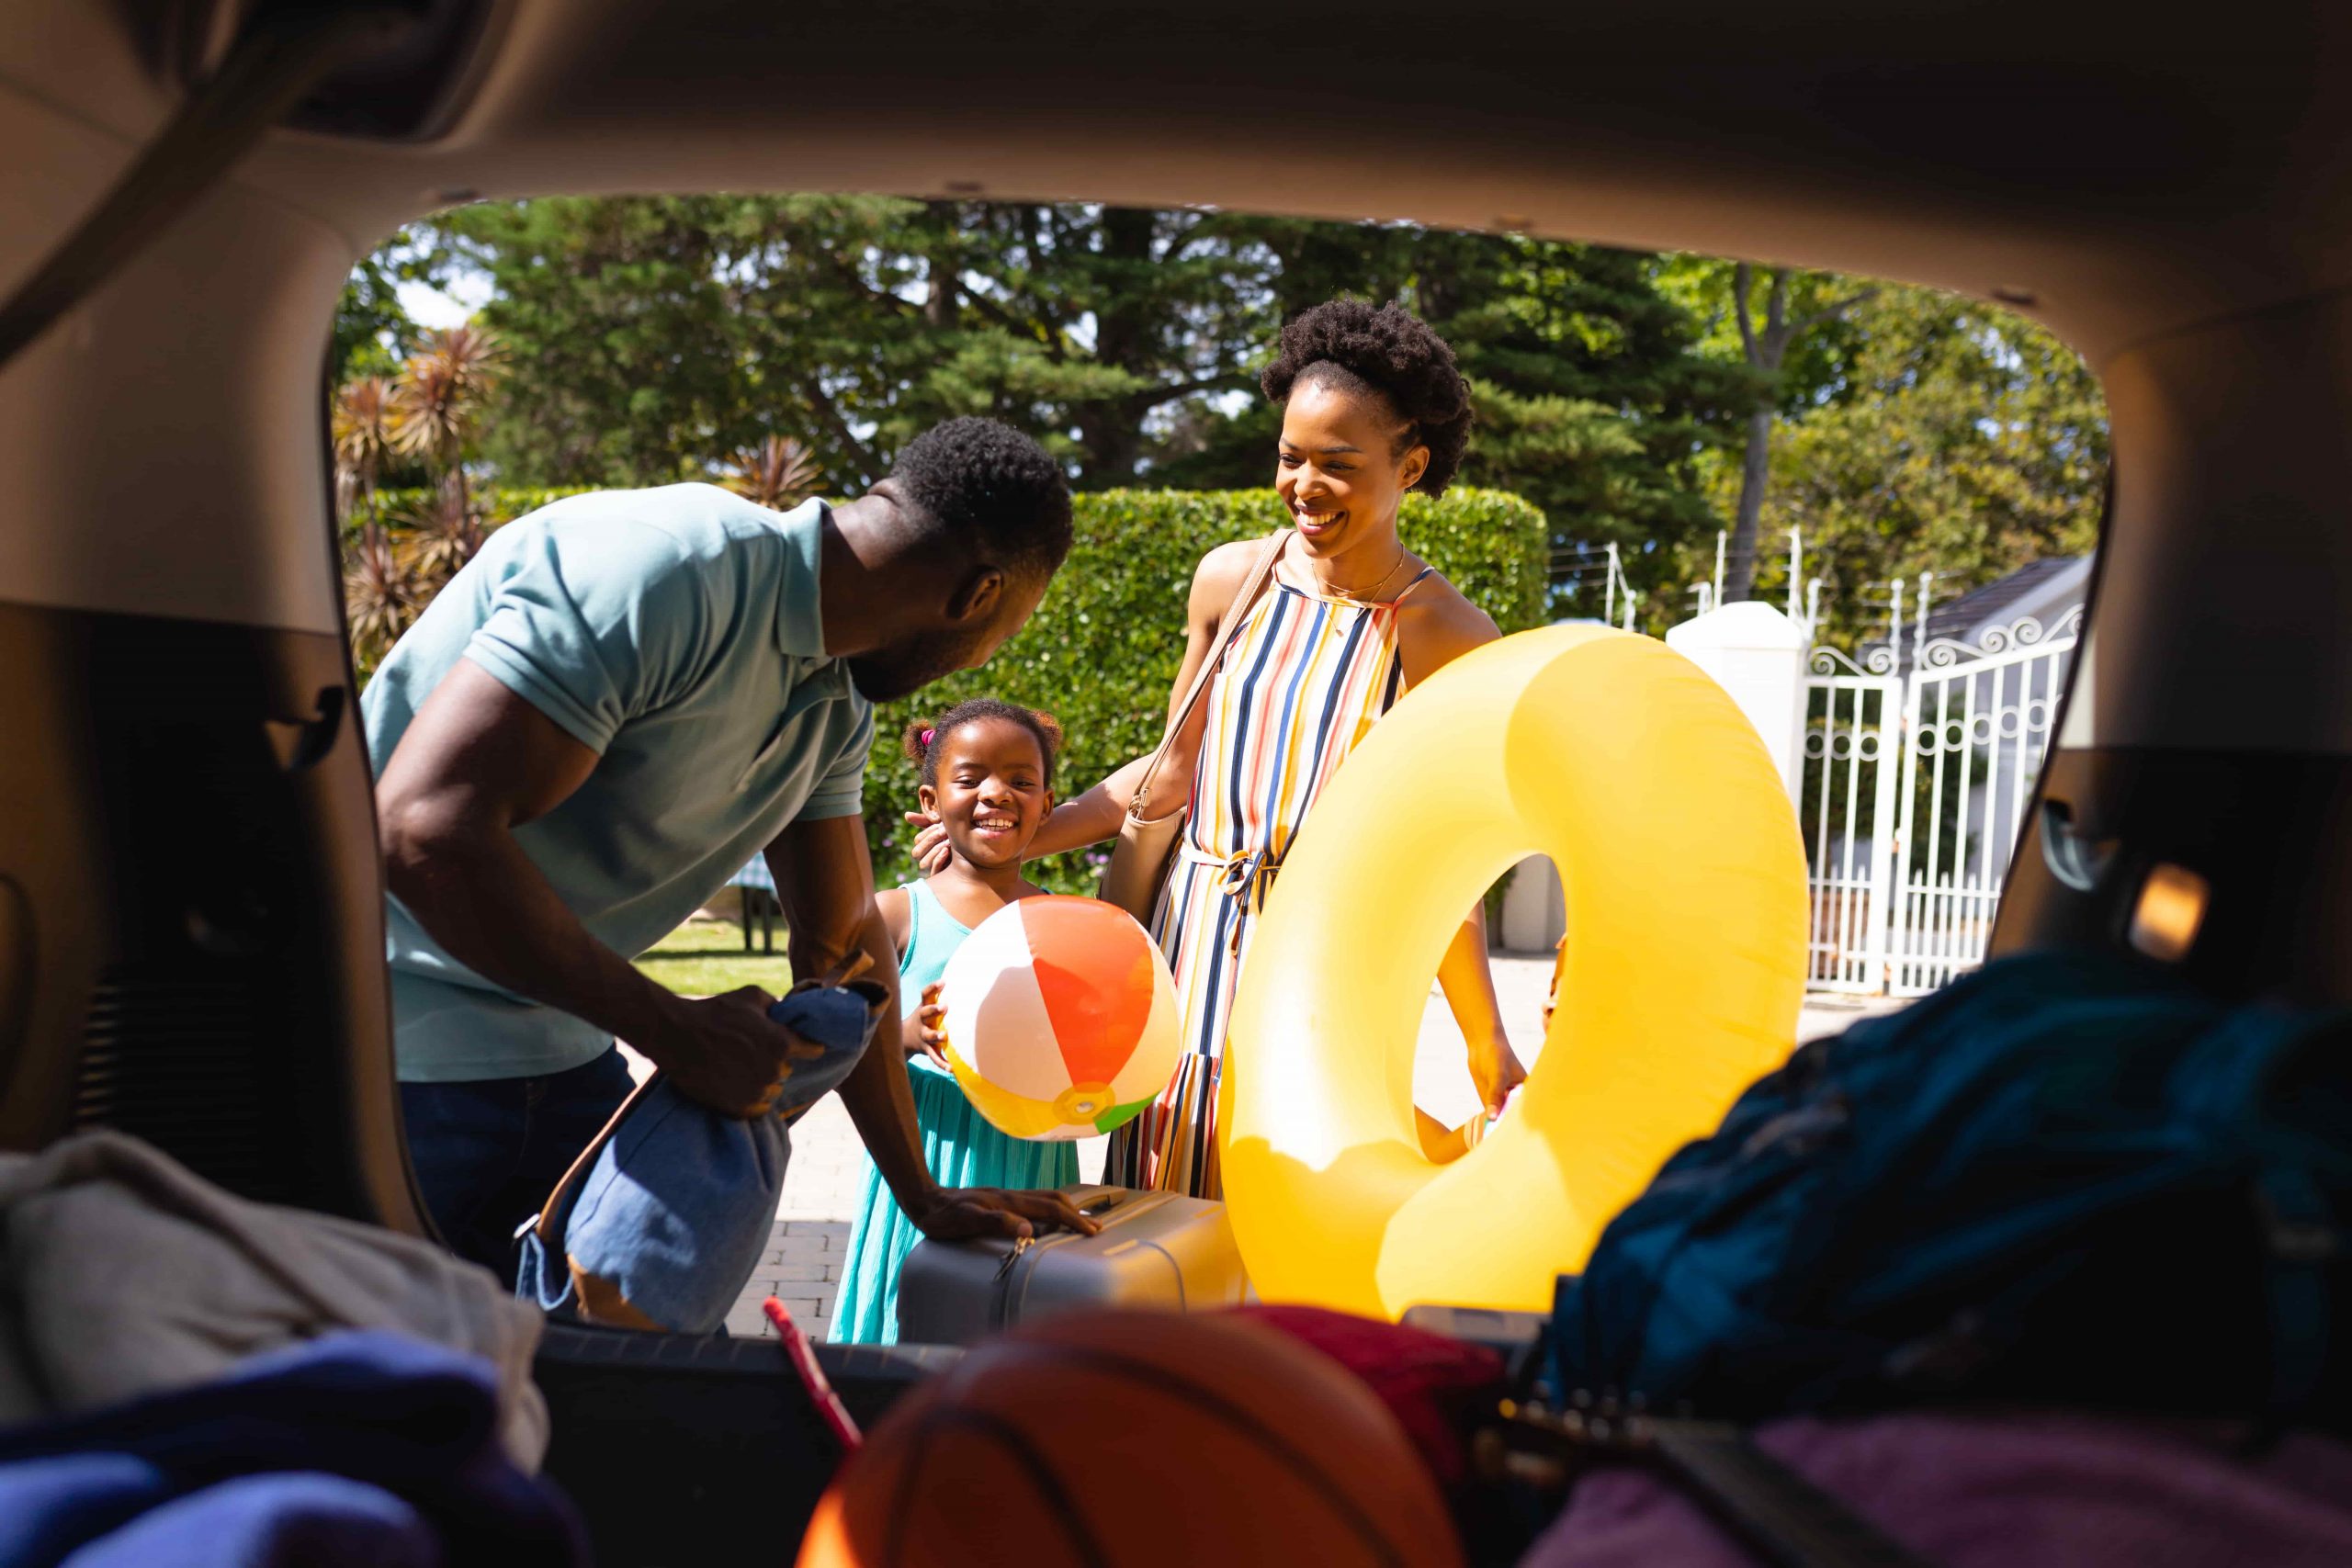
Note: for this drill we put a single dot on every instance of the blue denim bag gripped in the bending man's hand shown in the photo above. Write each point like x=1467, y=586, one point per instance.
x=662, y=1221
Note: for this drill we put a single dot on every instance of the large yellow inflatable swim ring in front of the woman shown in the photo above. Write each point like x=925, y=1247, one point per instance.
x=1683, y=972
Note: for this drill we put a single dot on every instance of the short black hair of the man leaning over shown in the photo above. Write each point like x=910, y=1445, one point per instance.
x=987, y=483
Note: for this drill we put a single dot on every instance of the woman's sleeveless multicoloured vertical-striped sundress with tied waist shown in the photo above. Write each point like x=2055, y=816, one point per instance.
x=1299, y=688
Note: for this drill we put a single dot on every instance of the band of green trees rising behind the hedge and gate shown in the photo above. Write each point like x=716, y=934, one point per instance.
x=653, y=340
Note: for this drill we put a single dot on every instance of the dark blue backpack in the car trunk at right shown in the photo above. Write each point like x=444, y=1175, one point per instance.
x=2059, y=1181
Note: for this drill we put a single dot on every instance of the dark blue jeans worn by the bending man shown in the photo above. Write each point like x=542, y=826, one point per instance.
x=490, y=1151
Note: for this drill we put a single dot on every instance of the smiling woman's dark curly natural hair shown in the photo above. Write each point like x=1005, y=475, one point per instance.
x=1391, y=354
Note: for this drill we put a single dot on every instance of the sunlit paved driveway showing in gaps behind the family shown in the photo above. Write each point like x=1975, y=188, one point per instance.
x=827, y=1179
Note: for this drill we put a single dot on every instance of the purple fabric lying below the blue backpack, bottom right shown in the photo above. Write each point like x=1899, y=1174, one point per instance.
x=2003, y=1492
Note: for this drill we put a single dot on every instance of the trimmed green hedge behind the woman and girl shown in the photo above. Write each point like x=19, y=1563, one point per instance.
x=1104, y=648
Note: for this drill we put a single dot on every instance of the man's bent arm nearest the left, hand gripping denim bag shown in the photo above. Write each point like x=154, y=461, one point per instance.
x=481, y=763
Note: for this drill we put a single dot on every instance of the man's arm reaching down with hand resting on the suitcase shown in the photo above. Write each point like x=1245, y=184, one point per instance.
x=827, y=887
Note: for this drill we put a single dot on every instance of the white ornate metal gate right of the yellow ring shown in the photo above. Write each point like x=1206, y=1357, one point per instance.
x=1916, y=786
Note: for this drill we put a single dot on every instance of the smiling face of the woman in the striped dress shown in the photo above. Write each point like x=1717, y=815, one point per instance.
x=1339, y=471
